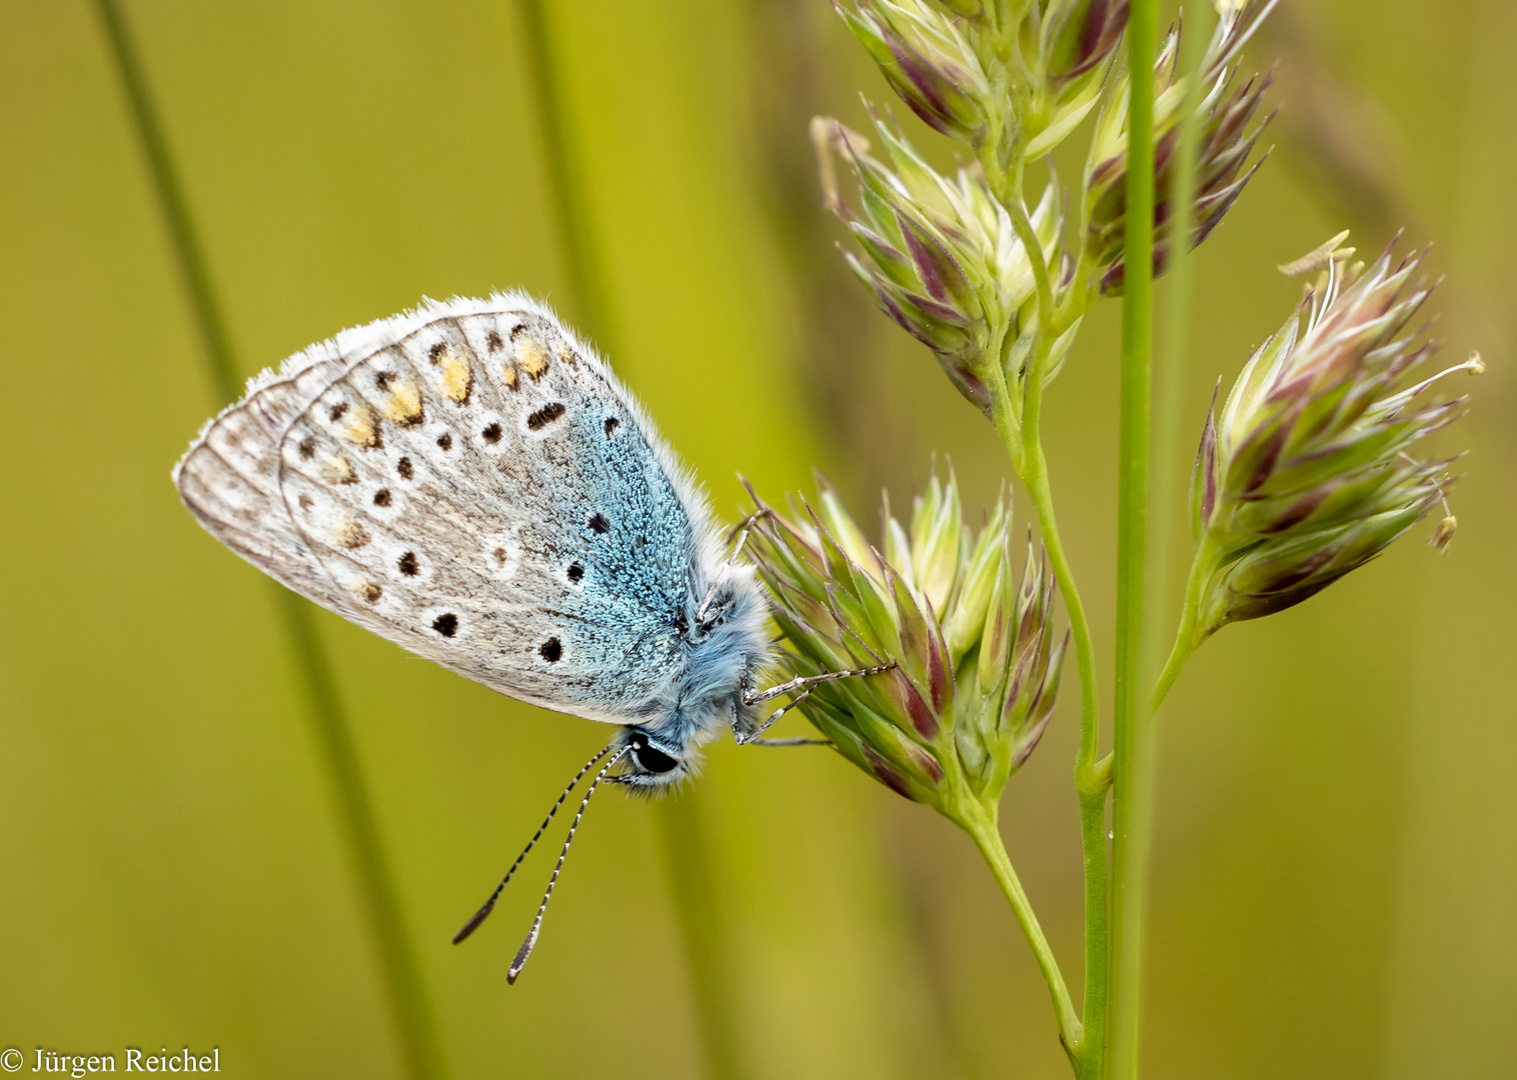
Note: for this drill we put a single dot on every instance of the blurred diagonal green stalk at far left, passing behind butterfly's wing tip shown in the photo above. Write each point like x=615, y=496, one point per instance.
x=409, y=997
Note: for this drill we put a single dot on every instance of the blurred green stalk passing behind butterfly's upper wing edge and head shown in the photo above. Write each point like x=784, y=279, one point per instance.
x=688, y=855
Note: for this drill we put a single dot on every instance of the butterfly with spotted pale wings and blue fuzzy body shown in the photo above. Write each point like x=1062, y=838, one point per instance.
x=473, y=483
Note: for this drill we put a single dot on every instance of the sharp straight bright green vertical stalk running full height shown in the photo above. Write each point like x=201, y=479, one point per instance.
x=1131, y=764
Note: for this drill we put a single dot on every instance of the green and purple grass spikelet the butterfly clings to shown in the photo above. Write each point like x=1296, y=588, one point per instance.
x=976, y=667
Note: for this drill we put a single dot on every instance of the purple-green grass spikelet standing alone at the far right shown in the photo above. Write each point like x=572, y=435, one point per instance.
x=1308, y=471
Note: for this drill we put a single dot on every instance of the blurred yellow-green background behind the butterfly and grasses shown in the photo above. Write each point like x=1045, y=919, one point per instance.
x=1336, y=884
